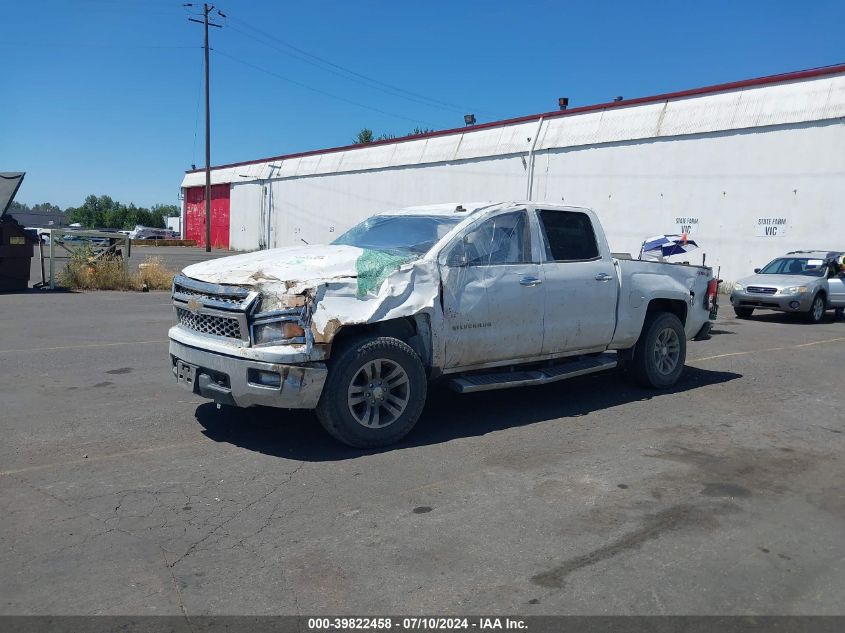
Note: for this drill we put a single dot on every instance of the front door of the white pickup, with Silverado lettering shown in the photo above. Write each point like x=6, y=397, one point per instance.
x=492, y=294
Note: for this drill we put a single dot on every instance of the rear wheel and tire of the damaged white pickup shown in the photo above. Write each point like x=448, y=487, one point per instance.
x=660, y=352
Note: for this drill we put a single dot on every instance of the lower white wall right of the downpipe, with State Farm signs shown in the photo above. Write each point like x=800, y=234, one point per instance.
x=725, y=182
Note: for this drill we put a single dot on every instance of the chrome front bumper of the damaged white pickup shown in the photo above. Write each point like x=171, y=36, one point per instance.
x=232, y=380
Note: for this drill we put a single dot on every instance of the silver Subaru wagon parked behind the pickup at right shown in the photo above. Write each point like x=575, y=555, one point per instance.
x=807, y=282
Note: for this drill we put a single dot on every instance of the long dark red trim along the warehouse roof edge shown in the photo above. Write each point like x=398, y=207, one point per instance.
x=734, y=85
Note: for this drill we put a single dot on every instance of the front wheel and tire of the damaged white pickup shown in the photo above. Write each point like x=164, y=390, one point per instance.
x=367, y=414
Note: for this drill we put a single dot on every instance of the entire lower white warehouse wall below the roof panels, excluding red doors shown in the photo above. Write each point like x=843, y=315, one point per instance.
x=724, y=183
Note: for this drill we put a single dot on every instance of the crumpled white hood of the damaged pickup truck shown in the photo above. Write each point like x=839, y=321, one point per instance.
x=289, y=265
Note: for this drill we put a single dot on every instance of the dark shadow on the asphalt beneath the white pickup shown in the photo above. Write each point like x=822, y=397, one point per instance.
x=447, y=415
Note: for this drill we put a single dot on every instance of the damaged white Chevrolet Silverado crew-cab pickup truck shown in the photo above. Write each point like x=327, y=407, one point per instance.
x=484, y=296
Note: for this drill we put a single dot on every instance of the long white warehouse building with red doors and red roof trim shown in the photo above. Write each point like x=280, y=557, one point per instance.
x=749, y=170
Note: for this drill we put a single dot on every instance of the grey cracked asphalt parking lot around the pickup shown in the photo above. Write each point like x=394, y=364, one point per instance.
x=122, y=494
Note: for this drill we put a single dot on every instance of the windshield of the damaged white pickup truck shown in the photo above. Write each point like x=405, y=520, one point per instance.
x=401, y=234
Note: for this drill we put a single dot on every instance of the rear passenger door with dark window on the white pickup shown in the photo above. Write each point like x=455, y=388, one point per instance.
x=580, y=283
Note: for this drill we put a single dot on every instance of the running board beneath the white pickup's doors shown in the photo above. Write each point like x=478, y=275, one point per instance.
x=541, y=376
